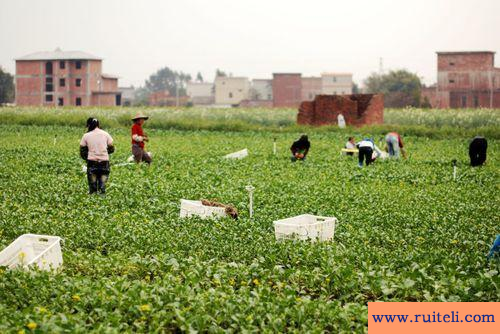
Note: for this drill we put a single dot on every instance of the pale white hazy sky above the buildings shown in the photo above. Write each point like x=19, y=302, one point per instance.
x=251, y=38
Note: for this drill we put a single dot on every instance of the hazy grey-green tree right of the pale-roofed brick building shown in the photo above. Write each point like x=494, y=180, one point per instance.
x=167, y=79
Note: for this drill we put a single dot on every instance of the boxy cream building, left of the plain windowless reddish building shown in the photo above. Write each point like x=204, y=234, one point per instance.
x=231, y=90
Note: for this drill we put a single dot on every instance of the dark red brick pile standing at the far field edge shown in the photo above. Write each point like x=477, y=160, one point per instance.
x=357, y=109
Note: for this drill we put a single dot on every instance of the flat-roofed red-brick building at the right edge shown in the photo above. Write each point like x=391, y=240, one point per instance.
x=466, y=80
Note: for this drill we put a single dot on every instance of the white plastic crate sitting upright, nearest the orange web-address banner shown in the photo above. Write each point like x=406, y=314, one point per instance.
x=305, y=227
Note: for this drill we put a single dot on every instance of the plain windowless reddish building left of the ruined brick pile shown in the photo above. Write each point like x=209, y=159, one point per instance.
x=287, y=89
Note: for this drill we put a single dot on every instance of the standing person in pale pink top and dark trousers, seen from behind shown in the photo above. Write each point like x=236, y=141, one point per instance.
x=95, y=147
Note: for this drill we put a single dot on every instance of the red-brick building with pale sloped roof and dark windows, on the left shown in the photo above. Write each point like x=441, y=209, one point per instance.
x=64, y=78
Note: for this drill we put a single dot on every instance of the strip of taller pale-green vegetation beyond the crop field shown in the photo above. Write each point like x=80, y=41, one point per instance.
x=464, y=123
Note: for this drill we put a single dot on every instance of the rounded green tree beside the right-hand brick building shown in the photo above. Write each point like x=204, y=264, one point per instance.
x=400, y=88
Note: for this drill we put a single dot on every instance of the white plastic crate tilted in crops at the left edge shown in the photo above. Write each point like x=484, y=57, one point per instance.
x=43, y=251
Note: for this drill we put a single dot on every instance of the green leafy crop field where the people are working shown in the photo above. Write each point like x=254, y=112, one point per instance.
x=407, y=231
